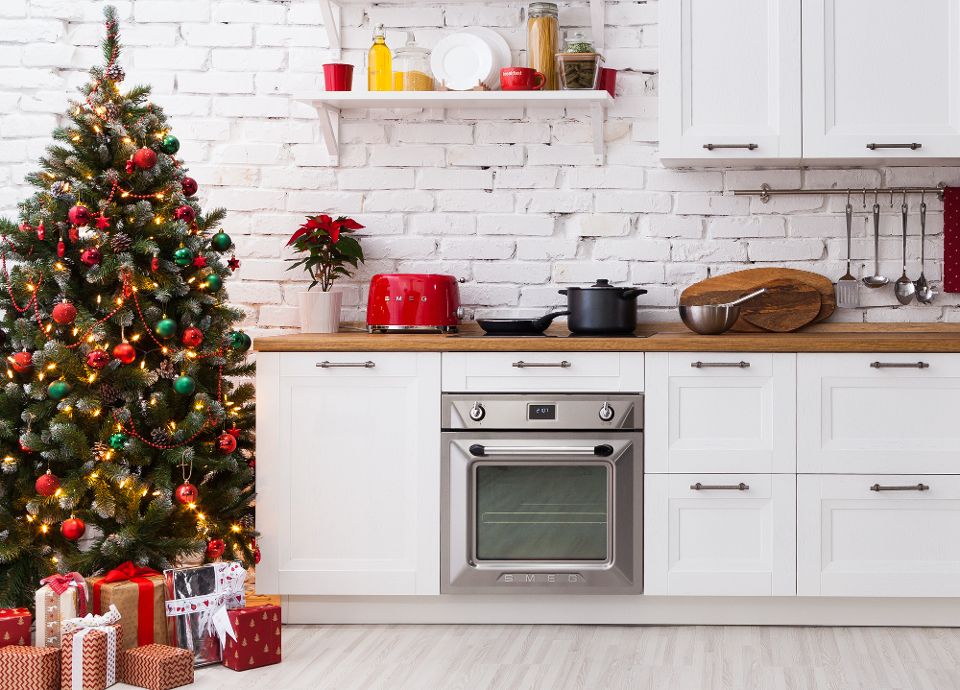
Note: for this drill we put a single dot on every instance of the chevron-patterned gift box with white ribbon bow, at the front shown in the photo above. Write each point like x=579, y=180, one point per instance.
x=88, y=651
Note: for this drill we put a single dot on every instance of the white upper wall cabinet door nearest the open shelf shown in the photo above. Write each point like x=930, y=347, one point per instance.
x=729, y=77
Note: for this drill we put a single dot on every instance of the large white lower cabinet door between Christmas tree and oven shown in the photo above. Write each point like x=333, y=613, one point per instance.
x=348, y=473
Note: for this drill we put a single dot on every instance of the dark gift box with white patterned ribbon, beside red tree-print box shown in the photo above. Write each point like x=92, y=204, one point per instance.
x=198, y=599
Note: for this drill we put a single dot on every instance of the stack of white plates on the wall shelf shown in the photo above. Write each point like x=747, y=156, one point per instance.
x=464, y=59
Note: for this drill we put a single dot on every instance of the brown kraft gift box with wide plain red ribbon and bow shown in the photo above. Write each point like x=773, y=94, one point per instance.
x=138, y=593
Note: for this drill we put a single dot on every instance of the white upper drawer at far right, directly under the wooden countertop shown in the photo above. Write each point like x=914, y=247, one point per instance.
x=878, y=413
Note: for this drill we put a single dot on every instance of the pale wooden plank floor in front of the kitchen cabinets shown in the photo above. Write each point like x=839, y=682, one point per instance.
x=603, y=657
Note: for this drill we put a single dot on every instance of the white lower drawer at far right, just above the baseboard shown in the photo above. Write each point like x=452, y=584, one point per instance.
x=856, y=541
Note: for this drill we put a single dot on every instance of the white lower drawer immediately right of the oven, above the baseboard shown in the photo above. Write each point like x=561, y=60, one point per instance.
x=720, y=535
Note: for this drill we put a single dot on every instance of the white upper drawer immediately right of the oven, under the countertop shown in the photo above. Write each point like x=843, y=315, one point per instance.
x=720, y=412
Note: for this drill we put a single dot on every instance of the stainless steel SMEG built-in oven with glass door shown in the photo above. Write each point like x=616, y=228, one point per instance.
x=542, y=493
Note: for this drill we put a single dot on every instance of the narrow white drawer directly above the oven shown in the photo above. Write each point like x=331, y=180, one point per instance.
x=543, y=371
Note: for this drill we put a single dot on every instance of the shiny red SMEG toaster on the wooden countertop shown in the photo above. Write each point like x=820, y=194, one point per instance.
x=413, y=303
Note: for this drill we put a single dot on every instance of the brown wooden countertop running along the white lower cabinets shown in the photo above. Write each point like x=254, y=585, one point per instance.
x=827, y=337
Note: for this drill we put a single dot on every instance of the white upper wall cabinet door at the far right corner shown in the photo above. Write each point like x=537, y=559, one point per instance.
x=883, y=73
